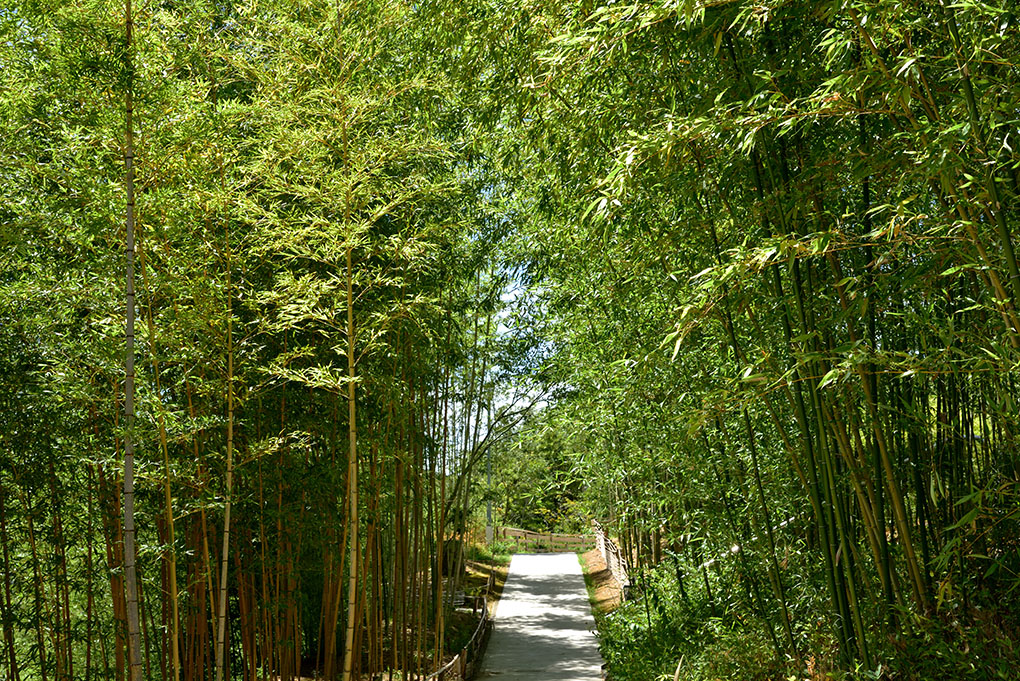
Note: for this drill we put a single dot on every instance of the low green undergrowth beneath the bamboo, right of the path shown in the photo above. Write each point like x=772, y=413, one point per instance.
x=658, y=636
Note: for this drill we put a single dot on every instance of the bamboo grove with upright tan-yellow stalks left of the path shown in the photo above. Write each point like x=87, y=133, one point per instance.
x=314, y=304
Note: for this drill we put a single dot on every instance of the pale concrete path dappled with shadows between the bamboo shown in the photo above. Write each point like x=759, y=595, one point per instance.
x=544, y=624
